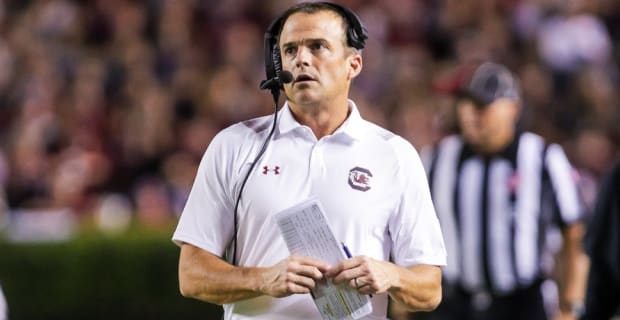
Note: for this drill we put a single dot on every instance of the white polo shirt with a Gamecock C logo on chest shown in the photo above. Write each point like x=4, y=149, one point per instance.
x=370, y=182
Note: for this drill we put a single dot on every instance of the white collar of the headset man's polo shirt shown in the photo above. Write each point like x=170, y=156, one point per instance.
x=351, y=127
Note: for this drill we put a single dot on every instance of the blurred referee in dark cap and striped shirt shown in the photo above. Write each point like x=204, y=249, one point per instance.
x=498, y=193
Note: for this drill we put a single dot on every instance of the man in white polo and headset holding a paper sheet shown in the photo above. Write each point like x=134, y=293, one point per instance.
x=370, y=182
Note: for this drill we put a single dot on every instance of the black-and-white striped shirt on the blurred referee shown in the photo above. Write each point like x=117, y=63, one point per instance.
x=494, y=210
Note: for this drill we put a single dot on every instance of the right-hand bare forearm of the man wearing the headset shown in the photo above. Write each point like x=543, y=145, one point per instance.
x=418, y=287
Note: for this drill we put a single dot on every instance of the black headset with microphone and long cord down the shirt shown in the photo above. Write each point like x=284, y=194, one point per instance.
x=357, y=35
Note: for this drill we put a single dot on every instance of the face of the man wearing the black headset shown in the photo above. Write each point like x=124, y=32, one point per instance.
x=313, y=49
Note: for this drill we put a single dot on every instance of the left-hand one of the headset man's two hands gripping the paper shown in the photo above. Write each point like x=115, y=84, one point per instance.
x=295, y=274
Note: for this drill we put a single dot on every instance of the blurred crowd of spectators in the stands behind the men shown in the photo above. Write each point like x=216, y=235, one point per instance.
x=106, y=106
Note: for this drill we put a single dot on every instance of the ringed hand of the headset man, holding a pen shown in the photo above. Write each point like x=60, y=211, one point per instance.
x=367, y=275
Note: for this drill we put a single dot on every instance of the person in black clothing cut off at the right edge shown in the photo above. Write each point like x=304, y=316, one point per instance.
x=603, y=246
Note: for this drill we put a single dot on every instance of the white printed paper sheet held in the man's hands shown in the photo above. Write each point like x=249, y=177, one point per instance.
x=306, y=232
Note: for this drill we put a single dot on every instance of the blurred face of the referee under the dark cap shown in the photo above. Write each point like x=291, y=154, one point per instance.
x=488, y=128
